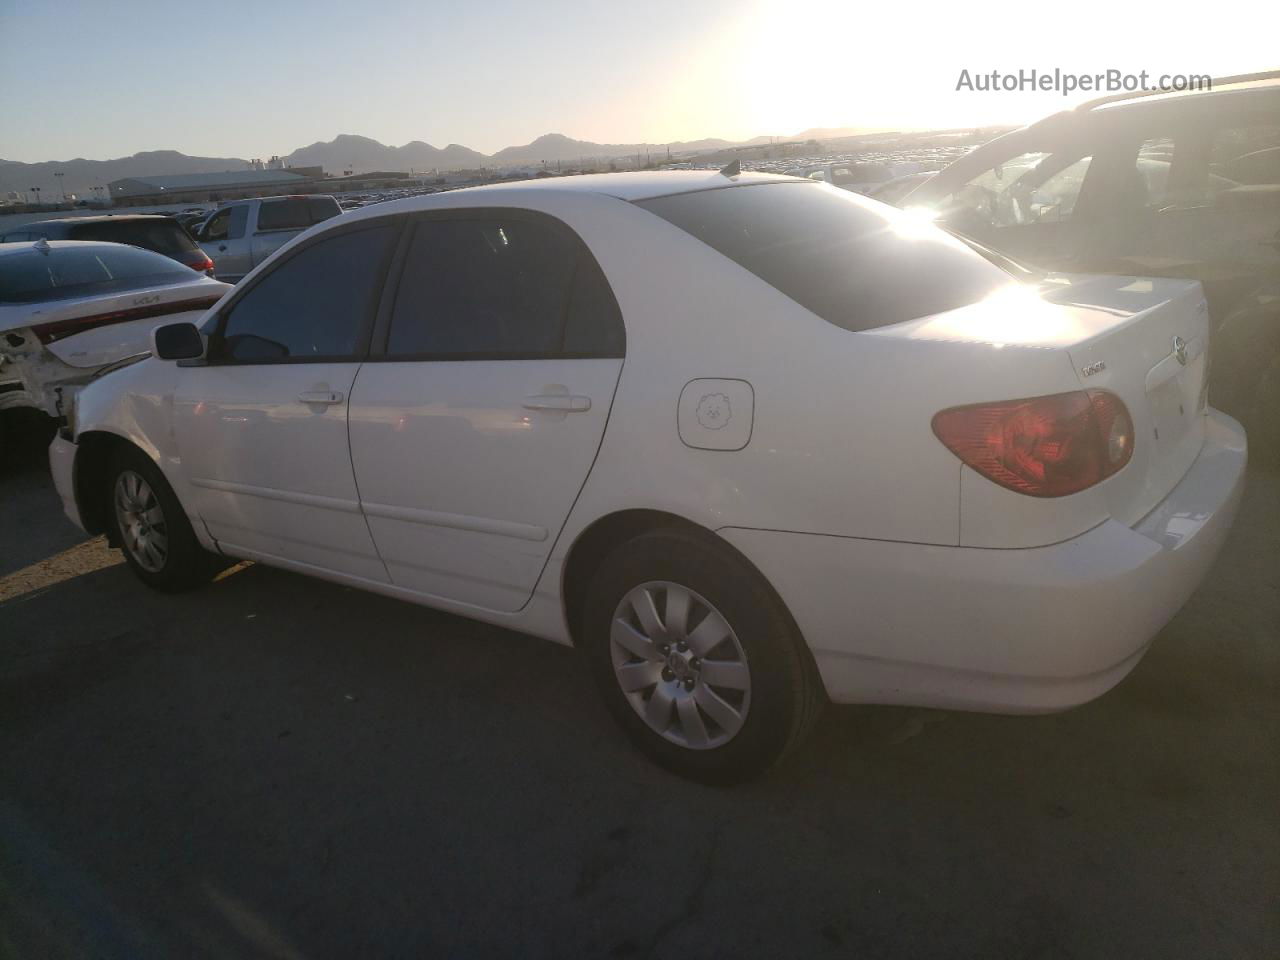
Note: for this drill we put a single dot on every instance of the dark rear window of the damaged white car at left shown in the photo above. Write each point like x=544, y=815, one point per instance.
x=65, y=273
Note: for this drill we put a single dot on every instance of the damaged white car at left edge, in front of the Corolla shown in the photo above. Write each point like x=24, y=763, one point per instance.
x=68, y=309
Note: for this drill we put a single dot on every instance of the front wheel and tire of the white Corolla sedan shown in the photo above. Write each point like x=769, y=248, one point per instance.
x=152, y=528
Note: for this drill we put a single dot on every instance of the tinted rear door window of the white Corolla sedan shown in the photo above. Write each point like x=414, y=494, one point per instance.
x=502, y=289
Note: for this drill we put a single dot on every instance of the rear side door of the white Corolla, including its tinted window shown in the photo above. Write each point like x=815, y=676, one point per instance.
x=479, y=415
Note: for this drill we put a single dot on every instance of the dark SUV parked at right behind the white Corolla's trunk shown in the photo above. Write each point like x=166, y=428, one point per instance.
x=1168, y=185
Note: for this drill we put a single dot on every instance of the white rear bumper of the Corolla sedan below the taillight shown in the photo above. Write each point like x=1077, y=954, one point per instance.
x=1005, y=630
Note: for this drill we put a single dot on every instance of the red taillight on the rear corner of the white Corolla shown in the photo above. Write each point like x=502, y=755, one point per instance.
x=1045, y=446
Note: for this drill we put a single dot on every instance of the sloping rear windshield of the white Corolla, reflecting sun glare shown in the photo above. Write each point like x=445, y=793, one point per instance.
x=852, y=262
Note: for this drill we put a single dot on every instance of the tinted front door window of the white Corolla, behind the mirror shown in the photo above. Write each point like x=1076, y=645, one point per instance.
x=316, y=305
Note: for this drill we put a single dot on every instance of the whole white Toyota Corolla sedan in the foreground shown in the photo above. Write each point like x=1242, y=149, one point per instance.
x=749, y=442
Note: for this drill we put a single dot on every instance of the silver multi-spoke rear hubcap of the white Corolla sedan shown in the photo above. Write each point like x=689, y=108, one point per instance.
x=680, y=665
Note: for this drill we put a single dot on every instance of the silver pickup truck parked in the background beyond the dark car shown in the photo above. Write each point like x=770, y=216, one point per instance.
x=244, y=234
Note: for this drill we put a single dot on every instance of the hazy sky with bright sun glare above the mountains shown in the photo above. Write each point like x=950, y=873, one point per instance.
x=232, y=79
